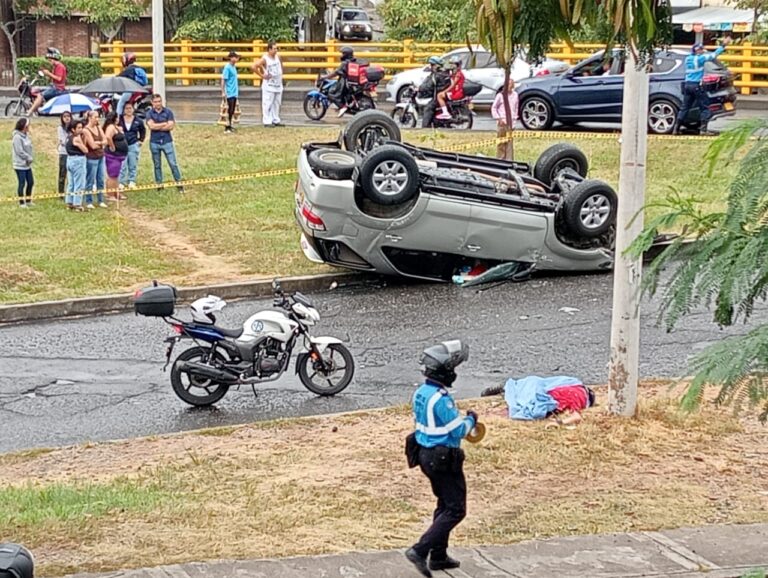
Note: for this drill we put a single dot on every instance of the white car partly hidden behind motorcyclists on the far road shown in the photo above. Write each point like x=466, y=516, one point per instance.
x=479, y=66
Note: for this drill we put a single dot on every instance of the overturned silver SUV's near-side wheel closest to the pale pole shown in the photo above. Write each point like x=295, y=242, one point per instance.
x=589, y=209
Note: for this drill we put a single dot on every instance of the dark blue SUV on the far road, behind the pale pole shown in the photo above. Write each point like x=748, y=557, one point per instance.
x=588, y=92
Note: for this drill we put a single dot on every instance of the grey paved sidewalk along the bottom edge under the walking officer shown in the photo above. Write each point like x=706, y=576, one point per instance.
x=707, y=552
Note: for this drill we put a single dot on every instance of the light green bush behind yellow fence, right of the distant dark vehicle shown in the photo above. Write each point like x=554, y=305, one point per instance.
x=426, y=20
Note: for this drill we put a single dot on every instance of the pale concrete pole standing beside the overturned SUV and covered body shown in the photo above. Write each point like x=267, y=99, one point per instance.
x=625, y=324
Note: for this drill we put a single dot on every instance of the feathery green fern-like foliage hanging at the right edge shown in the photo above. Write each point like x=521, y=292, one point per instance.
x=720, y=261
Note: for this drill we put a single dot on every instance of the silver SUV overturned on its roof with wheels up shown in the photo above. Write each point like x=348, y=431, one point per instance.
x=381, y=205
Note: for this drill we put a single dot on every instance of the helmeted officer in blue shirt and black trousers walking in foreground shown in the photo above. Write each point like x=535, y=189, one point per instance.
x=439, y=431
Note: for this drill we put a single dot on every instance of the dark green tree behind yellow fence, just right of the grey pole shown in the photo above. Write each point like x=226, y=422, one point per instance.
x=238, y=20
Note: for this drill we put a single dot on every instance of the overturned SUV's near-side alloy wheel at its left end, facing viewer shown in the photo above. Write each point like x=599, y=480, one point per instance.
x=389, y=176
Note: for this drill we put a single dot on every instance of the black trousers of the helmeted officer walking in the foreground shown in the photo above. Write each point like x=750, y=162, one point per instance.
x=450, y=489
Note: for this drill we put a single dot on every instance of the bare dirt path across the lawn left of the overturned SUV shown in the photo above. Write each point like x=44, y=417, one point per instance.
x=208, y=268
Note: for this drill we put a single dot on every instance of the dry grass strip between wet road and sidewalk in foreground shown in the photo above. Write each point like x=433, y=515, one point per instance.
x=339, y=483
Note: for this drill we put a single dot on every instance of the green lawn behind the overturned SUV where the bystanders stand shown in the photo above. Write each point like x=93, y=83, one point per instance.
x=215, y=233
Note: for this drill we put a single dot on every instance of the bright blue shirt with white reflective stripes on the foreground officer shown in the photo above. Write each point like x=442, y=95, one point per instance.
x=438, y=421
